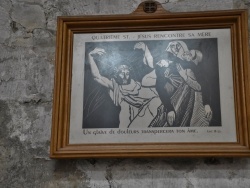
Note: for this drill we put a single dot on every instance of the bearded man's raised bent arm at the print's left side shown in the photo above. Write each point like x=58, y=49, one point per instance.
x=95, y=71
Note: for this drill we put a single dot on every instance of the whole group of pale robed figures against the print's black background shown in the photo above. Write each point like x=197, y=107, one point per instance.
x=173, y=93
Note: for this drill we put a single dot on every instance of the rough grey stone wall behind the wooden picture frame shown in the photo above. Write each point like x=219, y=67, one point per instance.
x=27, y=57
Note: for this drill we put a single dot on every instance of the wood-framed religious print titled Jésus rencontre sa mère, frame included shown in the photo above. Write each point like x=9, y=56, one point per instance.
x=152, y=85
